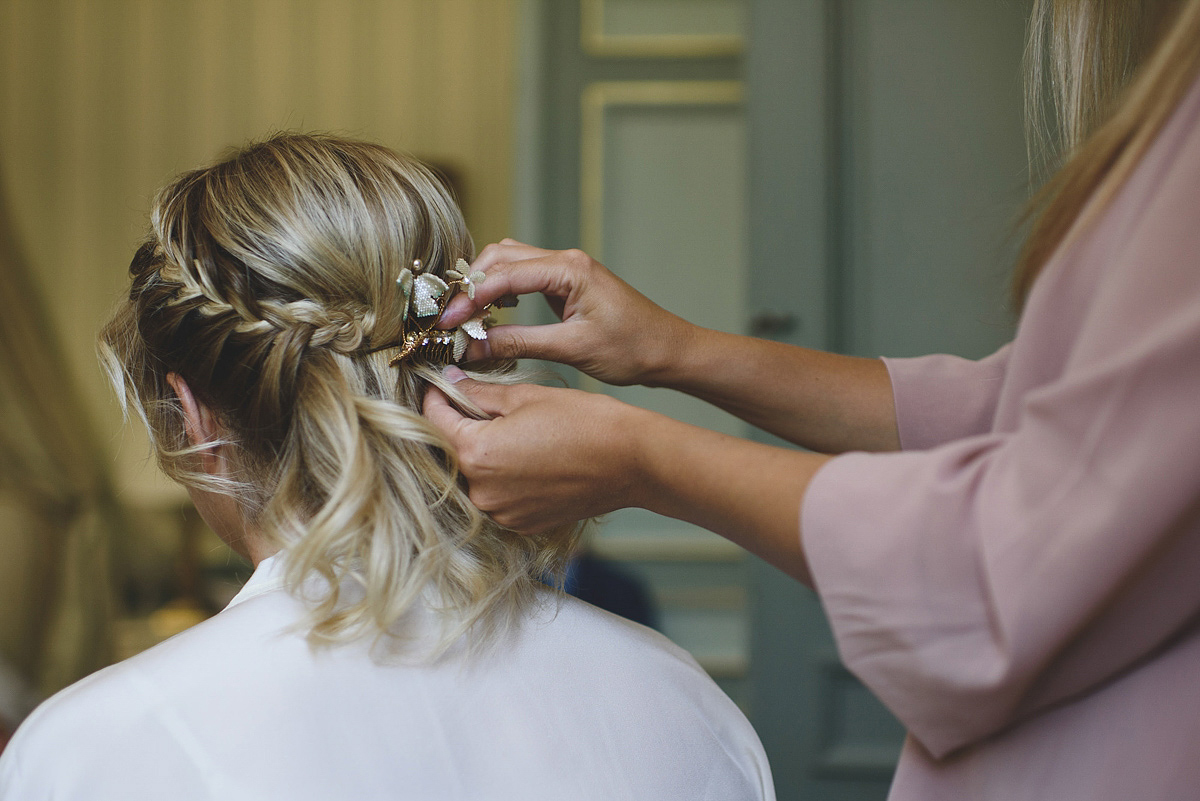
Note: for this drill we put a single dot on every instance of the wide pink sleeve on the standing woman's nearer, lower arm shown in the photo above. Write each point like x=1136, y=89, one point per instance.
x=976, y=583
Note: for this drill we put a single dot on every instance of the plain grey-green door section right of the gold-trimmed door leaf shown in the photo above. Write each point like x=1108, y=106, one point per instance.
x=887, y=168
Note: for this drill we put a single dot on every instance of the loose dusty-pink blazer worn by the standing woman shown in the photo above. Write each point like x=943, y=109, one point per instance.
x=1022, y=585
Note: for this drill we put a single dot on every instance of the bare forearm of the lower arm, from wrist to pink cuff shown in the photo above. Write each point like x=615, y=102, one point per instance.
x=743, y=491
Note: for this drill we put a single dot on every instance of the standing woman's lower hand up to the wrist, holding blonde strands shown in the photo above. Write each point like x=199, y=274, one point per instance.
x=549, y=456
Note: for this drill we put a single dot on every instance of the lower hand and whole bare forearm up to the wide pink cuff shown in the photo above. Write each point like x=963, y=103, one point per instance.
x=551, y=457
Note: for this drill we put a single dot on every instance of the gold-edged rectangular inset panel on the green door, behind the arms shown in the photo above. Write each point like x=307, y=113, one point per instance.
x=664, y=204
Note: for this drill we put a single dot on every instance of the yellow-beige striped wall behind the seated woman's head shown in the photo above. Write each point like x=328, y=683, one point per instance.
x=103, y=101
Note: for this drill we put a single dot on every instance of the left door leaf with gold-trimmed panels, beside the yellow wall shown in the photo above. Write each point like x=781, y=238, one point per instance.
x=644, y=166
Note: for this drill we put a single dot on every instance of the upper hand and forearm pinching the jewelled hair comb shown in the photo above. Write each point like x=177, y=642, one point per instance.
x=610, y=332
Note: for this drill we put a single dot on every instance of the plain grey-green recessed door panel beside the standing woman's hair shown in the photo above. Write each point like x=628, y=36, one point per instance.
x=934, y=172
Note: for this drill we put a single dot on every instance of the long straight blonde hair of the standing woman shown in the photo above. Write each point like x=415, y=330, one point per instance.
x=1115, y=70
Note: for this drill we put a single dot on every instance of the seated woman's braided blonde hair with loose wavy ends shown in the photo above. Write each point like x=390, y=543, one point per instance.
x=268, y=282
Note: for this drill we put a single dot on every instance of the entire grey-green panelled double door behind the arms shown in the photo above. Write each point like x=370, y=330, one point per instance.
x=836, y=174
